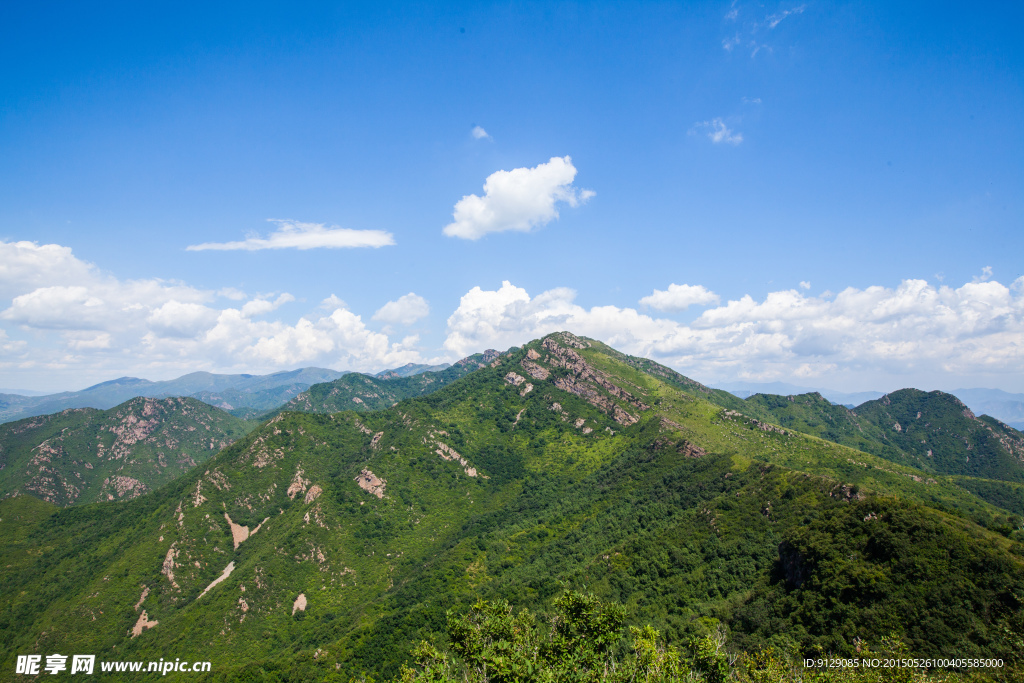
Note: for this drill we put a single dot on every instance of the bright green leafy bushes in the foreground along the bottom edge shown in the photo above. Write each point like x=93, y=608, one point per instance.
x=583, y=642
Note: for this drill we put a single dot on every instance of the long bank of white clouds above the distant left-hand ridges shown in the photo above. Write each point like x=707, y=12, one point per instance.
x=103, y=327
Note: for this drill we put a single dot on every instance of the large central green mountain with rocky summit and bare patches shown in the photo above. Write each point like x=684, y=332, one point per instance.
x=344, y=538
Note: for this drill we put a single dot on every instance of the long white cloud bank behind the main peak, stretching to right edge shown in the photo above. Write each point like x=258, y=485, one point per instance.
x=915, y=333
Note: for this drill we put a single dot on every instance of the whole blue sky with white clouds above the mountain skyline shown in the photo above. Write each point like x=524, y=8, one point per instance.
x=825, y=194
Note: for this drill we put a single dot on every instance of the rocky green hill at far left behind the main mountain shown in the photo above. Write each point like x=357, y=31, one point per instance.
x=86, y=455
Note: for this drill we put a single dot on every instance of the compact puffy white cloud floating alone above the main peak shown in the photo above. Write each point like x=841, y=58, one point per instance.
x=519, y=200
